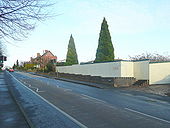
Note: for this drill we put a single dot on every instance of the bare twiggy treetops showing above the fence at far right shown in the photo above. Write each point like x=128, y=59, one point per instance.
x=153, y=57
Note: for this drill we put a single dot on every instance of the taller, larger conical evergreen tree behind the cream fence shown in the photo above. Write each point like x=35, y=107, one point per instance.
x=105, y=50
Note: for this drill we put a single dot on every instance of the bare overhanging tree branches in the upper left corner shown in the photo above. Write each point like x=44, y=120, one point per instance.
x=18, y=17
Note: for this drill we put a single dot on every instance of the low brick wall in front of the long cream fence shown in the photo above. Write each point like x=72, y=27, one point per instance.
x=109, y=81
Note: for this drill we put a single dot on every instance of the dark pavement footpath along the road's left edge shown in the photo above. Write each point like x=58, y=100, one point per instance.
x=10, y=113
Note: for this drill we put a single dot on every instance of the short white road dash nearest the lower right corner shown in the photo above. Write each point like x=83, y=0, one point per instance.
x=147, y=115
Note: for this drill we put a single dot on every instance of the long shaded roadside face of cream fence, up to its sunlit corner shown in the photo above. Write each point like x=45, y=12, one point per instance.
x=110, y=69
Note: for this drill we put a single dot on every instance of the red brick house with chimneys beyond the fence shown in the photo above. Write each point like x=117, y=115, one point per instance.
x=42, y=60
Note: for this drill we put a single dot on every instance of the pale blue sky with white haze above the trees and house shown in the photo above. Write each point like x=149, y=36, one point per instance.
x=136, y=26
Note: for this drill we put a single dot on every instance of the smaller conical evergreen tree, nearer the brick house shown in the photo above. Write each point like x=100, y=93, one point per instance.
x=71, y=53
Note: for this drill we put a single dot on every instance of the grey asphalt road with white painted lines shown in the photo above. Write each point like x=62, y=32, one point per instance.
x=53, y=103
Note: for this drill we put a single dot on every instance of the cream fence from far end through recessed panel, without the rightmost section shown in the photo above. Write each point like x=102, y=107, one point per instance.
x=139, y=70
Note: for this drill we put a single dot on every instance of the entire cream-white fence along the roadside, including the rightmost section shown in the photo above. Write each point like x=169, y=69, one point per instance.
x=156, y=73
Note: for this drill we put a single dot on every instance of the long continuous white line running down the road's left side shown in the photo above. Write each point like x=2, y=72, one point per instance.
x=64, y=113
